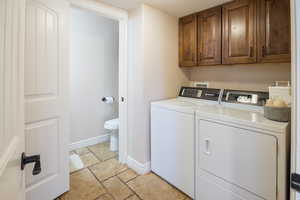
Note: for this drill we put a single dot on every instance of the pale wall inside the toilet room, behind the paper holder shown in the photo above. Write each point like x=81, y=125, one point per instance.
x=94, y=73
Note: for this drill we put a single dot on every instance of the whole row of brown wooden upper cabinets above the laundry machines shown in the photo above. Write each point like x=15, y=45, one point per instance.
x=242, y=31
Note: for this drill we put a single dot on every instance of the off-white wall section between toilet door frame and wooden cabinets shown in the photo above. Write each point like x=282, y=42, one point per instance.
x=153, y=72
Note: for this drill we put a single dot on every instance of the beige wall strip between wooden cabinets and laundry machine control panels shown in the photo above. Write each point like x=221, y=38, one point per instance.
x=244, y=77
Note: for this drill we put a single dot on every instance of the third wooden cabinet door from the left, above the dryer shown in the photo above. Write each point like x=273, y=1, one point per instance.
x=239, y=32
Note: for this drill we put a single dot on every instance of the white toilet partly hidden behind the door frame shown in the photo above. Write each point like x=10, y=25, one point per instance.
x=113, y=126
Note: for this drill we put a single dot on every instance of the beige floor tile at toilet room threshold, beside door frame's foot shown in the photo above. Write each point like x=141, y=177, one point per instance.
x=107, y=169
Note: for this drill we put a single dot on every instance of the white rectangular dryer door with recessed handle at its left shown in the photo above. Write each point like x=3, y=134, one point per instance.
x=241, y=157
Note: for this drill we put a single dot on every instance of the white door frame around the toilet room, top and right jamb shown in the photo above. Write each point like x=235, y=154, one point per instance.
x=121, y=16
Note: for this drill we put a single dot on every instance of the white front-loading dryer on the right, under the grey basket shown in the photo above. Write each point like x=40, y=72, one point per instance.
x=240, y=155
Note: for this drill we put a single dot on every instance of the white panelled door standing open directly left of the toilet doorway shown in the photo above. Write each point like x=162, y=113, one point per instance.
x=46, y=102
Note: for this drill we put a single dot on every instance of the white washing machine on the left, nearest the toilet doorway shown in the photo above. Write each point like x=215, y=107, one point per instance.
x=173, y=136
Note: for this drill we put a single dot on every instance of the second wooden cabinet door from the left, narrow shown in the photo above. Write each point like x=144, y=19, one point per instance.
x=209, y=36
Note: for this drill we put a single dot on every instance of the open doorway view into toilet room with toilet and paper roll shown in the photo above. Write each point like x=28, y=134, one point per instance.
x=94, y=101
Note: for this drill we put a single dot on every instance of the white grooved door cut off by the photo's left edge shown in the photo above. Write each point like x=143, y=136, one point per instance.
x=11, y=99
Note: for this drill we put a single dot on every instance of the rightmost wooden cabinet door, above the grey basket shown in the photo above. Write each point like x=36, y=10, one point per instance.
x=274, y=38
